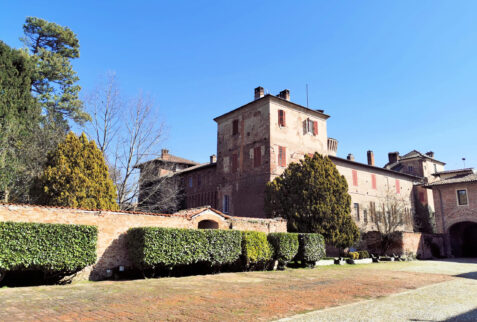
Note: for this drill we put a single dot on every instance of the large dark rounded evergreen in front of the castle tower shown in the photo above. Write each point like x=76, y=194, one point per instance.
x=314, y=198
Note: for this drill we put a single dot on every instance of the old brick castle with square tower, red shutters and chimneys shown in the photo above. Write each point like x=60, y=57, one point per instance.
x=257, y=141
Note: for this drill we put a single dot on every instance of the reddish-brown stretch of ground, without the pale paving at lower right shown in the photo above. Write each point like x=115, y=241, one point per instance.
x=230, y=296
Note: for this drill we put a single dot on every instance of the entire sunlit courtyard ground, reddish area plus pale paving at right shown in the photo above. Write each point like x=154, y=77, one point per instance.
x=259, y=295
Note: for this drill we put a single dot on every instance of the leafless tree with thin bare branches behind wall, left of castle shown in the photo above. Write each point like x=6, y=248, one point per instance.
x=130, y=133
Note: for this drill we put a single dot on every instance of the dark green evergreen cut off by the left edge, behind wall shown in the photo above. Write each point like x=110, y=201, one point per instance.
x=19, y=117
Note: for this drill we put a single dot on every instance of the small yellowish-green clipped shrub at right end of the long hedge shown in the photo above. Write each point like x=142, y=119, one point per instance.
x=255, y=248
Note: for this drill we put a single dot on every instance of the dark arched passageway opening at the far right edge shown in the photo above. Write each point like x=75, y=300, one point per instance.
x=463, y=237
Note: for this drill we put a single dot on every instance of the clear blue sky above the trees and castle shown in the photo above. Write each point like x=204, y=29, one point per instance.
x=393, y=75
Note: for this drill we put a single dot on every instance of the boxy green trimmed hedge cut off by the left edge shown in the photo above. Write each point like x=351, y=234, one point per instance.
x=47, y=247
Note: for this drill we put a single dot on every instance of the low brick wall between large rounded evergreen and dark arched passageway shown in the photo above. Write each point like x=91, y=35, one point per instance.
x=424, y=246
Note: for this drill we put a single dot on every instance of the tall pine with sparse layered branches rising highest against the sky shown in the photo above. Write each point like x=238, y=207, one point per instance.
x=55, y=82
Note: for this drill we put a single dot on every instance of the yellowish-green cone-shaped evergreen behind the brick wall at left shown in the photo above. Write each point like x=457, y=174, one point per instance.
x=76, y=175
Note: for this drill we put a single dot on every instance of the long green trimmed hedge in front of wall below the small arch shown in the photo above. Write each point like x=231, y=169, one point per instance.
x=153, y=247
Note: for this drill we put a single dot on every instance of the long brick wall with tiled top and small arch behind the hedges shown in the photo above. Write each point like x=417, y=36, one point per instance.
x=112, y=227
